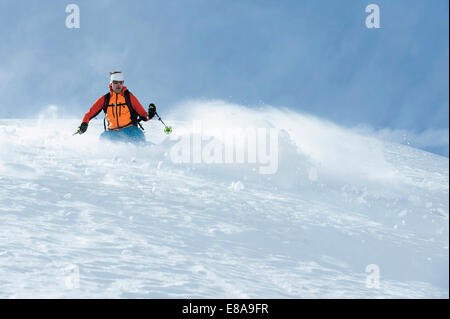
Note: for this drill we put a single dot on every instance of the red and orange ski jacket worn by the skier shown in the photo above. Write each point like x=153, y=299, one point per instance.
x=118, y=114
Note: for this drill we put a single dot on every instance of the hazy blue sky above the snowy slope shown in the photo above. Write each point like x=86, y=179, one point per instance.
x=314, y=56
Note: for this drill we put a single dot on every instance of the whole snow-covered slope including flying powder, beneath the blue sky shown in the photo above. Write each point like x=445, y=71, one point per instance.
x=344, y=216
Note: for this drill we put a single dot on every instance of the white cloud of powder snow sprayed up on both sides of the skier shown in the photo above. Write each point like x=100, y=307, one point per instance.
x=271, y=145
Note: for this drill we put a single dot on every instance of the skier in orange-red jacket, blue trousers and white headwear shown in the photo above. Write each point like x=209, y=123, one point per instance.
x=122, y=110
